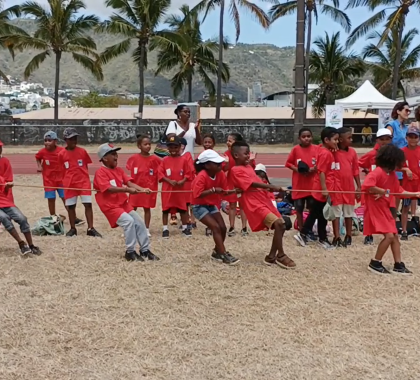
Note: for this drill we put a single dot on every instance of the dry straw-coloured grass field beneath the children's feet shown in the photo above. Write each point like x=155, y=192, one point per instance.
x=81, y=312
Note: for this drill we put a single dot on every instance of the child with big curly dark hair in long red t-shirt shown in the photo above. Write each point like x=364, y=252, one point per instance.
x=378, y=218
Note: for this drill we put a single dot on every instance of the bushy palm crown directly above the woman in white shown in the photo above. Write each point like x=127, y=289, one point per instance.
x=191, y=55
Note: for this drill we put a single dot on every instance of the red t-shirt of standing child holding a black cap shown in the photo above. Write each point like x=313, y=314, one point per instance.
x=302, y=181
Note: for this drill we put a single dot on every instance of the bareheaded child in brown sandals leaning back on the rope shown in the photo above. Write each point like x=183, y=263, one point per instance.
x=257, y=206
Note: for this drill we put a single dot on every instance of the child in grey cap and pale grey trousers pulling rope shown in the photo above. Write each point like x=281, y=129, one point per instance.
x=112, y=185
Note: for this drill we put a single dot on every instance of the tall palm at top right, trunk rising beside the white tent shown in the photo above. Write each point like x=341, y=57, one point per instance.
x=395, y=20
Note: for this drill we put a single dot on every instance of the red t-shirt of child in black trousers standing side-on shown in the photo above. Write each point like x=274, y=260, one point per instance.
x=325, y=164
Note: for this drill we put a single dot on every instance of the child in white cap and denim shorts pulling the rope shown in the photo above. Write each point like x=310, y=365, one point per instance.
x=207, y=186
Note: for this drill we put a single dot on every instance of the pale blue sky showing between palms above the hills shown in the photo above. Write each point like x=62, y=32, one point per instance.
x=281, y=33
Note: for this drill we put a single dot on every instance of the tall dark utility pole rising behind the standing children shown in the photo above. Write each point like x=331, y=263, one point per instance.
x=299, y=93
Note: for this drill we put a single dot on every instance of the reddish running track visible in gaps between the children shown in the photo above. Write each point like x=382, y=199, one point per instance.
x=25, y=163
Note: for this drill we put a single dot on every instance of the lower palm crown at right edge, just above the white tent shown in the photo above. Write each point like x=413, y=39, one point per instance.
x=381, y=60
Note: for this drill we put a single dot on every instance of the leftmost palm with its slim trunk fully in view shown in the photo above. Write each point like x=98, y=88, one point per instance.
x=60, y=29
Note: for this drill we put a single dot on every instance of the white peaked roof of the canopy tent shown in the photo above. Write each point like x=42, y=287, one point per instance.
x=366, y=96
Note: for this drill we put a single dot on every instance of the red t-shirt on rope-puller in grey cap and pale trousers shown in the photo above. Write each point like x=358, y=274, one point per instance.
x=113, y=205
